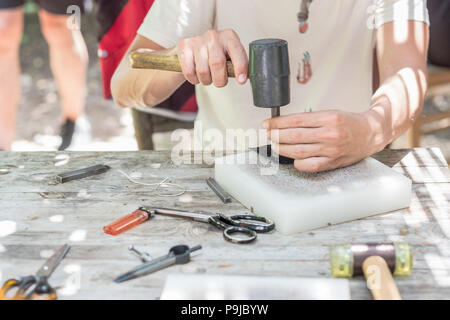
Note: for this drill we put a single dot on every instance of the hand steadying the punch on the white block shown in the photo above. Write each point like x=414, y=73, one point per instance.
x=325, y=140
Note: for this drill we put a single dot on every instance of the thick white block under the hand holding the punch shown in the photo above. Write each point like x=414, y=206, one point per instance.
x=298, y=201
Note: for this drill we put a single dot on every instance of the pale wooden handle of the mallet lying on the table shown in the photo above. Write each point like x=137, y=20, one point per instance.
x=380, y=280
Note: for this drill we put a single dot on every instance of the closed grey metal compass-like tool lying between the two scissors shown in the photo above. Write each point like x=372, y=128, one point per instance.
x=177, y=255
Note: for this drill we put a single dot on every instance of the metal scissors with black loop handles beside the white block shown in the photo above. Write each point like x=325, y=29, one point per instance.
x=244, y=224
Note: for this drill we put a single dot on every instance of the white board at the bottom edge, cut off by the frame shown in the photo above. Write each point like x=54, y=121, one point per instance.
x=220, y=287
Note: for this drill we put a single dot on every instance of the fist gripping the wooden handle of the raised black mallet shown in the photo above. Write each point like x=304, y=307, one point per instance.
x=203, y=58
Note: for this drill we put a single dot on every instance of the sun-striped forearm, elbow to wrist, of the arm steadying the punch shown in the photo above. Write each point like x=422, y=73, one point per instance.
x=396, y=105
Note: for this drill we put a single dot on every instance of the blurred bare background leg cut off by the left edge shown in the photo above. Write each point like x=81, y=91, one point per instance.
x=11, y=28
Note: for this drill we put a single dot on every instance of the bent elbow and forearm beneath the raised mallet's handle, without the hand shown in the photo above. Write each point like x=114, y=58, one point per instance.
x=139, y=87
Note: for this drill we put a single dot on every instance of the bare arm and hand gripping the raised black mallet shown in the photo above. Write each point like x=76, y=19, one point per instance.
x=203, y=59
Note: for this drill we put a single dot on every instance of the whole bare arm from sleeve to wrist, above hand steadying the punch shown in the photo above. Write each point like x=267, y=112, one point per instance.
x=401, y=53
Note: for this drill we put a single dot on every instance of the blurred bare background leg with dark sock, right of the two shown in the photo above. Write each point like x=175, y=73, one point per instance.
x=69, y=62
